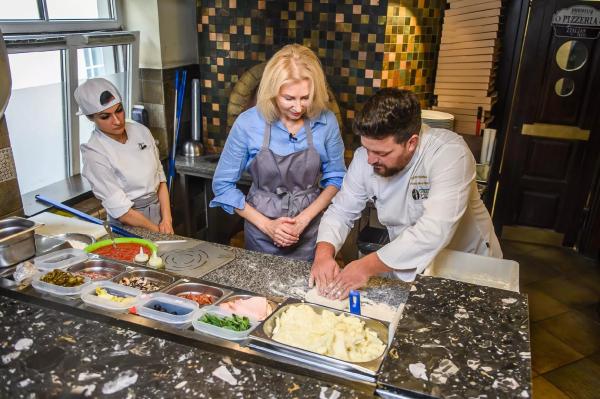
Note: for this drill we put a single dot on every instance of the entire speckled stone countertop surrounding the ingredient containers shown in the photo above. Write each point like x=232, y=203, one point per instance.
x=455, y=340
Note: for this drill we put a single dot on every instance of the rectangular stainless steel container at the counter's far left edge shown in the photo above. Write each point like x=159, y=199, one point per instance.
x=17, y=242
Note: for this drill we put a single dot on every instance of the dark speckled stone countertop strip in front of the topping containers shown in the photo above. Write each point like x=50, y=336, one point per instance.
x=47, y=353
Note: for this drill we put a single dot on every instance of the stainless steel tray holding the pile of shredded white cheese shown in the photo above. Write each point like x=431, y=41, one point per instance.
x=260, y=339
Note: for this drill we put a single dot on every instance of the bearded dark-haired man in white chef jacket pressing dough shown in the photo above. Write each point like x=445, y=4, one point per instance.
x=421, y=181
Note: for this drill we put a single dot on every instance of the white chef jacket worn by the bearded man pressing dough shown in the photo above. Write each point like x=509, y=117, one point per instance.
x=433, y=203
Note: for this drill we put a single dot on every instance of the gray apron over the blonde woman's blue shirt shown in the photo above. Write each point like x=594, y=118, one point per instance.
x=284, y=185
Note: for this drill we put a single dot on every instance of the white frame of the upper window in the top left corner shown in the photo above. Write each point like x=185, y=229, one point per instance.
x=46, y=25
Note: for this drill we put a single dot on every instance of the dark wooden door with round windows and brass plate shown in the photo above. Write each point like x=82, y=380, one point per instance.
x=552, y=141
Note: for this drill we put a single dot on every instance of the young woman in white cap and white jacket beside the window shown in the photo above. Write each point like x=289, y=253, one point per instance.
x=121, y=161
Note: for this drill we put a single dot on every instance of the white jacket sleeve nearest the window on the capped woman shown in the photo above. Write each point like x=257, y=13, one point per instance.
x=104, y=184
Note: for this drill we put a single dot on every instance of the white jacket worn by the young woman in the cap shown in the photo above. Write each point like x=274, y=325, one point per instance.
x=120, y=173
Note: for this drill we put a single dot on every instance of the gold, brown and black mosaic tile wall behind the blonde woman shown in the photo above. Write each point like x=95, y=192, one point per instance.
x=363, y=46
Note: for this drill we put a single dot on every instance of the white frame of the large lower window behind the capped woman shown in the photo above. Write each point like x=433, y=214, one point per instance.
x=69, y=44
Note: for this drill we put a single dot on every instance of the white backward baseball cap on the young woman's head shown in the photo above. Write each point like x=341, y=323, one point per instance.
x=96, y=95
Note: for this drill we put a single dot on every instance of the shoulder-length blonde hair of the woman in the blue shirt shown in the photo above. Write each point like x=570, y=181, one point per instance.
x=293, y=63
